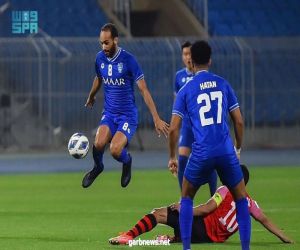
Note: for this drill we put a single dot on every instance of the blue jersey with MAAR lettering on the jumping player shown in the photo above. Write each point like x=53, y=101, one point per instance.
x=118, y=75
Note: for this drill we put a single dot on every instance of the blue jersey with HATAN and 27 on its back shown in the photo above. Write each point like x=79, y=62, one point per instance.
x=207, y=99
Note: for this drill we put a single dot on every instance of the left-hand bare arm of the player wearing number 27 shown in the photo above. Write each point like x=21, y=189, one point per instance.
x=173, y=139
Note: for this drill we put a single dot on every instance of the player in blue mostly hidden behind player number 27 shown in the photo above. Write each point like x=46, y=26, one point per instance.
x=186, y=137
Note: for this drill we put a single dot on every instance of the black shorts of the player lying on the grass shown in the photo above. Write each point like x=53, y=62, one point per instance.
x=199, y=234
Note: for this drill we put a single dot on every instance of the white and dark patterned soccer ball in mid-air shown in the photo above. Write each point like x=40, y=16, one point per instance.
x=78, y=145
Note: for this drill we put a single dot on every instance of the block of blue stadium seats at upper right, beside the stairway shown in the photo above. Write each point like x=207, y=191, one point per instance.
x=259, y=17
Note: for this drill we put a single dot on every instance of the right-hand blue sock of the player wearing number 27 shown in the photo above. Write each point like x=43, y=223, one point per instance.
x=244, y=221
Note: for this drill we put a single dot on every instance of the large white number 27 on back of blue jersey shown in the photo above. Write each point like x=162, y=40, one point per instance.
x=207, y=99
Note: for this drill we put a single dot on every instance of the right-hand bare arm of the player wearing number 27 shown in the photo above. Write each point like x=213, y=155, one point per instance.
x=238, y=125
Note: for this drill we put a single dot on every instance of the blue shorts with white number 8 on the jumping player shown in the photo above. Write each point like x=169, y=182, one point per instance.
x=121, y=123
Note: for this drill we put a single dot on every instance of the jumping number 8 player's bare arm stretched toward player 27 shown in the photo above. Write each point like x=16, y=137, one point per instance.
x=160, y=125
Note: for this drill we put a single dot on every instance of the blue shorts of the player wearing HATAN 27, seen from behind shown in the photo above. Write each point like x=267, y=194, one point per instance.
x=198, y=170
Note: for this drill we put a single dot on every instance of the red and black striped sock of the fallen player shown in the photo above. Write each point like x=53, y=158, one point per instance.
x=146, y=224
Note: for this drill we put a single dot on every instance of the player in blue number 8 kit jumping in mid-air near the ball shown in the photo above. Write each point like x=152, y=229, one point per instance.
x=119, y=71
